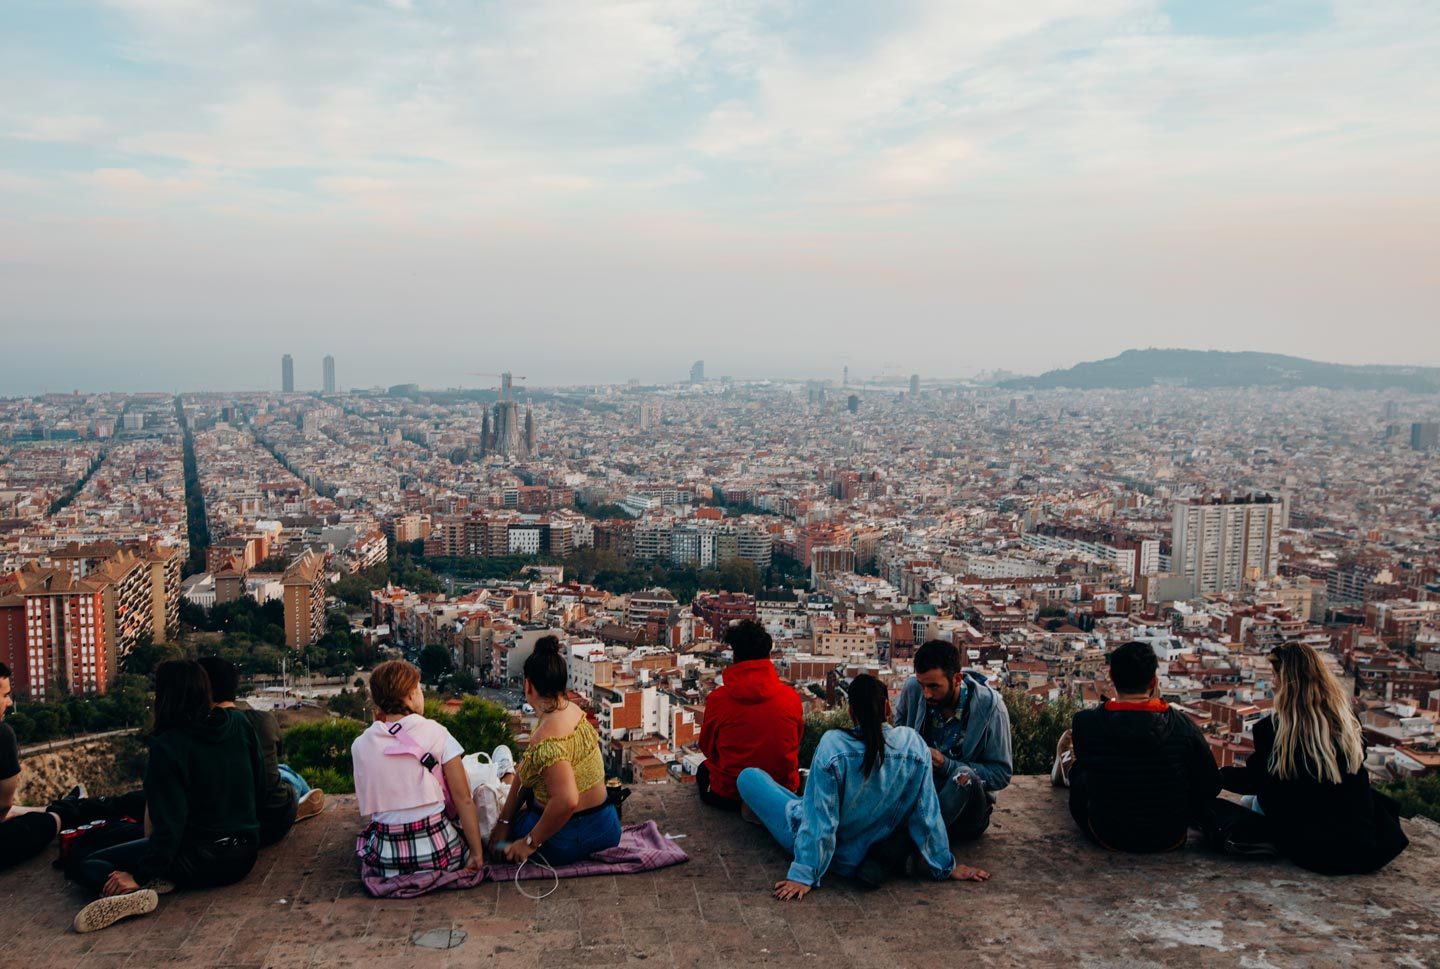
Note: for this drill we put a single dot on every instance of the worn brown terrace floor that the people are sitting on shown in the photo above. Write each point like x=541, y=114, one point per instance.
x=1055, y=902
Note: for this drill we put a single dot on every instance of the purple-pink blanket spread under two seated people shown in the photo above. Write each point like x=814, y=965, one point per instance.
x=642, y=849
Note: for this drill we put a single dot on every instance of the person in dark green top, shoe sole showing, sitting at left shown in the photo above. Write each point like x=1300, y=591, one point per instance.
x=202, y=788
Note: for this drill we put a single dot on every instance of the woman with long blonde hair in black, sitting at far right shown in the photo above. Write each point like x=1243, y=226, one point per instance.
x=1314, y=801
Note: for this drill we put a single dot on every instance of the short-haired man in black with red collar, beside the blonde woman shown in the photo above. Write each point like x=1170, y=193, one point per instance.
x=1143, y=772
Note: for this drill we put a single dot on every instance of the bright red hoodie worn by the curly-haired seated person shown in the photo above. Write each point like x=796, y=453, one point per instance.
x=754, y=721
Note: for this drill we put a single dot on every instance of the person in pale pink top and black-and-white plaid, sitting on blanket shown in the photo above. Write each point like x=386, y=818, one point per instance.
x=397, y=762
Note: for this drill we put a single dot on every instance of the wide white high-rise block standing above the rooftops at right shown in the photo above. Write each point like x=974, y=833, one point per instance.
x=1218, y=544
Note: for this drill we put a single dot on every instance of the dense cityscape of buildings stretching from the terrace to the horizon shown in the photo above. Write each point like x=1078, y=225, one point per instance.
x=855, y=519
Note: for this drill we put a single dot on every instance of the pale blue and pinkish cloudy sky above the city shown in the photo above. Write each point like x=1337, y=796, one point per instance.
x=595, y=192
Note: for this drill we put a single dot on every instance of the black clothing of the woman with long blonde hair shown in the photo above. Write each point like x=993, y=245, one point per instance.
x=1331, y=829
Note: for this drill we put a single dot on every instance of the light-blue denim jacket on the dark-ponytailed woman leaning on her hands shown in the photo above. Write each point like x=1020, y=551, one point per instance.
x=843, y=813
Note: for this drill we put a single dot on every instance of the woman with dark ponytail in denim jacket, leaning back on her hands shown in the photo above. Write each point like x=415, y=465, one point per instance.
x=865, y=785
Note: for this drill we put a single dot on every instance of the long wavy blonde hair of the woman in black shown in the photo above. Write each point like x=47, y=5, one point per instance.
x=1315, y=731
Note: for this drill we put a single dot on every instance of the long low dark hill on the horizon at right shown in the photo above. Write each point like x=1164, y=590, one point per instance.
x=1215, y=369
